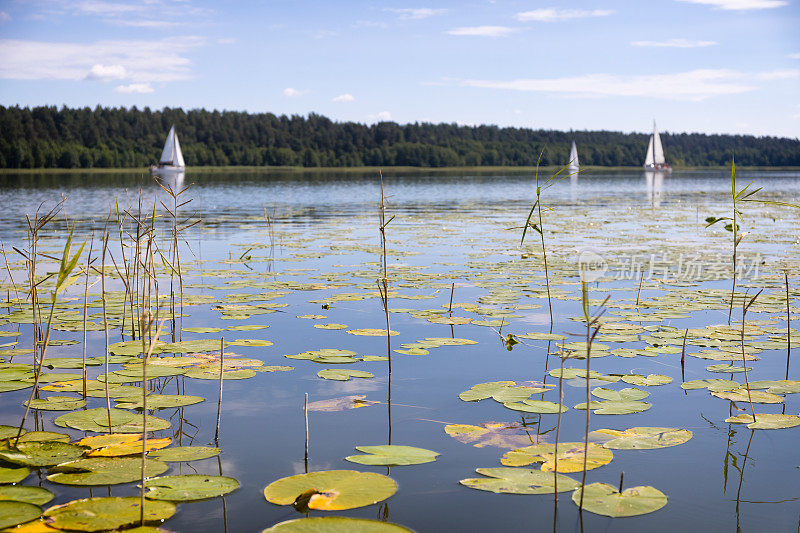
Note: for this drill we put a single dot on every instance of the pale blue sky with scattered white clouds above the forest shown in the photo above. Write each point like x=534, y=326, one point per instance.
x=709, y=66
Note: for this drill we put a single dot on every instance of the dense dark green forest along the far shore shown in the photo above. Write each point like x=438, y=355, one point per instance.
x=49, y=137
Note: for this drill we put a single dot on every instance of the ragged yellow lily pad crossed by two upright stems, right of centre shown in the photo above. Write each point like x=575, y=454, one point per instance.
x=570, y=456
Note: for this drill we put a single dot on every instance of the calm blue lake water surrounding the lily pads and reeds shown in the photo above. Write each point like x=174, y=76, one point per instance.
x=307, y=238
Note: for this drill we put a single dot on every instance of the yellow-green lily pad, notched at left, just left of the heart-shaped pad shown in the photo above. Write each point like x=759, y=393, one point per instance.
x=505, y=480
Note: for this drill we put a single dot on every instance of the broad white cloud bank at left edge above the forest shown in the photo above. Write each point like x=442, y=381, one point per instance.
x=139, y=61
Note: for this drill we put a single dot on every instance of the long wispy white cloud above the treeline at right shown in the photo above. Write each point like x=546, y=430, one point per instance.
x=694, y=85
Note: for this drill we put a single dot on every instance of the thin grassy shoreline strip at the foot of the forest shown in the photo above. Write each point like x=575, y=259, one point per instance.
x=364, y=170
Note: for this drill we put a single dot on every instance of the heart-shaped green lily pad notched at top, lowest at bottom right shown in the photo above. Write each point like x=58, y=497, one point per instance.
x=604, y=499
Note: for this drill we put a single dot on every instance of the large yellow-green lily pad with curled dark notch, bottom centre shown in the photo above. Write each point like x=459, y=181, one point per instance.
x=331, y=490
